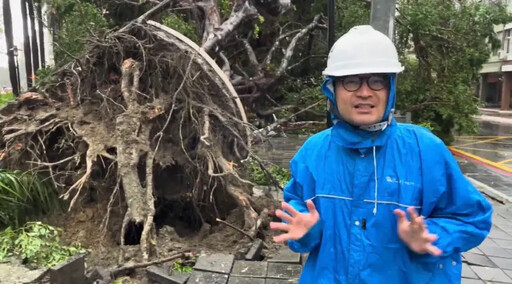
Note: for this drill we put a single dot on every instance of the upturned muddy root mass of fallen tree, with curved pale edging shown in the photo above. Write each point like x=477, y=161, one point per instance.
x=147, y=113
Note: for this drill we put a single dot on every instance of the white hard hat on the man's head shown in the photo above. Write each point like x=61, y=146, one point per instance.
x=362, y=50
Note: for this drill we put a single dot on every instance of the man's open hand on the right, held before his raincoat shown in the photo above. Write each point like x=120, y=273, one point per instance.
x=414, y=233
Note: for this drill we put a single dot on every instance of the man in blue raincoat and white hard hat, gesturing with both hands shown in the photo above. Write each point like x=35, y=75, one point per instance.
x=352, y=184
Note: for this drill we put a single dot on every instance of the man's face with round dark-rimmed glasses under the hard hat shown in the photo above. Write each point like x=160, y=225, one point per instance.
x=362, y=99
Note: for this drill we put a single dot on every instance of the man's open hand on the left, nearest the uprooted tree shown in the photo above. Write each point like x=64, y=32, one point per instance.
x=297, y=224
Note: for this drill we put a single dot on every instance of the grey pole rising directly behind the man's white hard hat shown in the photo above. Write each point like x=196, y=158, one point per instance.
x=382, y=17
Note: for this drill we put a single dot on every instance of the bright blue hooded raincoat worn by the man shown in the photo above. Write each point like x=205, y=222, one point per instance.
x=357, y=178
